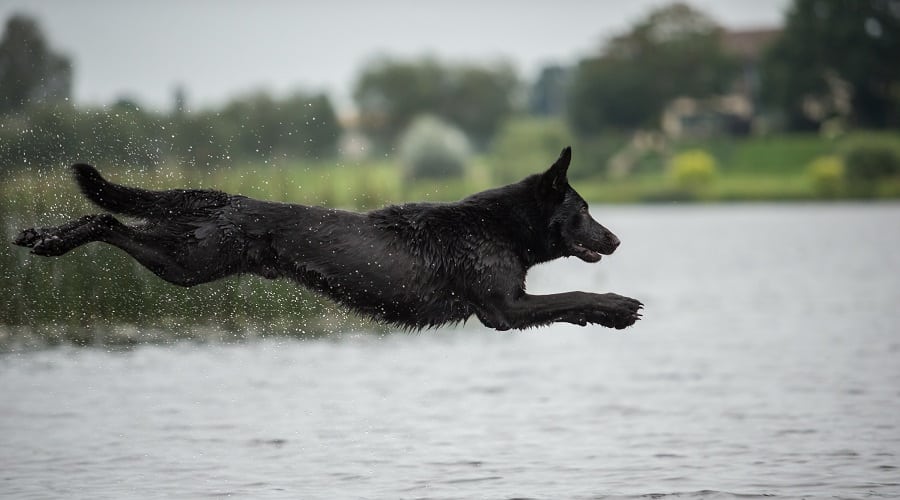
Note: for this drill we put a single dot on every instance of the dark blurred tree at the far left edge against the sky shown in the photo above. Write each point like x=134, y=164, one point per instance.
x=29, y=71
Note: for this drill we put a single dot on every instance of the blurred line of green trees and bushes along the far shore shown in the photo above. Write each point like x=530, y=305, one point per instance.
x=832, y=67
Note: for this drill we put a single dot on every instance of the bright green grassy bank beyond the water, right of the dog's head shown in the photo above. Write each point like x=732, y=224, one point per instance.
x=777, y=168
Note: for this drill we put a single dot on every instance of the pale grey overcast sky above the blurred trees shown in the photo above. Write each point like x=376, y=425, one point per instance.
x=216, y=49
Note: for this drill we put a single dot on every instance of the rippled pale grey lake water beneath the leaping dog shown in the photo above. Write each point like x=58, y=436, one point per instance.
x=767, y=363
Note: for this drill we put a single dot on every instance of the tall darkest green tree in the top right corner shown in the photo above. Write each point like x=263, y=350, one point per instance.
x=829, y=42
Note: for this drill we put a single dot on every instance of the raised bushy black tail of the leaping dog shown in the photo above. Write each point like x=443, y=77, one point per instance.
x=143, y=203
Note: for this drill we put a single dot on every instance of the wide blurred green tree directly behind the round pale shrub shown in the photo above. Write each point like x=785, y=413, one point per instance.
x=390, y=93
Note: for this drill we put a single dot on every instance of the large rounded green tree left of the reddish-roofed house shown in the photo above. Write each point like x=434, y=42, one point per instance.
x=674, y=51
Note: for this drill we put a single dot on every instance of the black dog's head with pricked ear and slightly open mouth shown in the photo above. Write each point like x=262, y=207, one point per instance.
x=574, y=231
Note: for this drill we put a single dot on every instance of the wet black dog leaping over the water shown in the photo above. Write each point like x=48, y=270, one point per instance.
x=415, y=265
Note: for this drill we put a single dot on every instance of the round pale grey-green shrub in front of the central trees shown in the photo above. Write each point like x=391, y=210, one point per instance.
x=432, y=148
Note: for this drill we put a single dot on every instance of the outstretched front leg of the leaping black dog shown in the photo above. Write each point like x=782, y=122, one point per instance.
x=580, y=308
